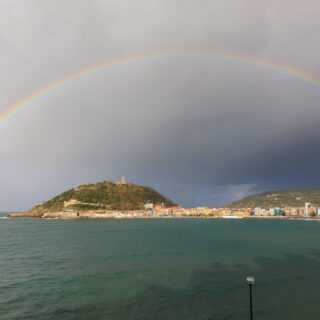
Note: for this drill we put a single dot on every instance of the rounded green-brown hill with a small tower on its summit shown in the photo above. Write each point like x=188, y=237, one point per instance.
x=103, y=196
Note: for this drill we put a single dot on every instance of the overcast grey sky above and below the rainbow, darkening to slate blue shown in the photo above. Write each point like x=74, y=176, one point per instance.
x=203, y=130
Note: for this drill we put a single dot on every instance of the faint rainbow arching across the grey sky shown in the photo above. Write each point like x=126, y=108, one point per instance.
x=287, y=69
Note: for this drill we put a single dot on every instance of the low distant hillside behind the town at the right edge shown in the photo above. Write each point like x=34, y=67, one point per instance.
x=281, y=198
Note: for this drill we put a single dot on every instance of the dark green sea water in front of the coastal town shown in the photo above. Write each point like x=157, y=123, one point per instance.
x=158, y=269
